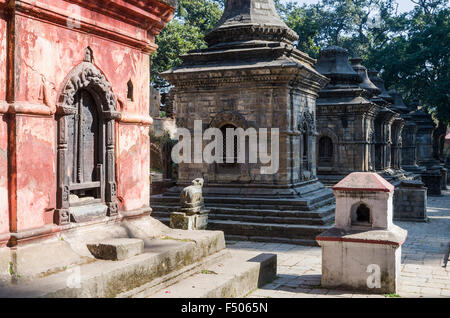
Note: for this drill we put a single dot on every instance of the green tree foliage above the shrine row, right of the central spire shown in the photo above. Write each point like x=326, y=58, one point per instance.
x=411, y=49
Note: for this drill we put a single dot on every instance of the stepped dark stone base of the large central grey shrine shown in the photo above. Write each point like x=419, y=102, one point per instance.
x=293, y=215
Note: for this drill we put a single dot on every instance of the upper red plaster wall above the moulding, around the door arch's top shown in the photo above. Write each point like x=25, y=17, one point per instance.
x=48, y=53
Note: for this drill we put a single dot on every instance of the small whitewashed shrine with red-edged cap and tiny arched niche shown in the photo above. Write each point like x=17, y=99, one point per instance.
x=363, y=250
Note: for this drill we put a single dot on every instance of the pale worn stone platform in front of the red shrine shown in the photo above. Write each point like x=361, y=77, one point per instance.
x=64, y=267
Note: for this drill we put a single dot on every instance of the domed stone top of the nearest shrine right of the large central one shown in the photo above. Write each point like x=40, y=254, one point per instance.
x=333, y=63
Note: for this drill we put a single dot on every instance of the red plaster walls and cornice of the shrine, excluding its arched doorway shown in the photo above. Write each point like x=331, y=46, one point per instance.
x=46, y=50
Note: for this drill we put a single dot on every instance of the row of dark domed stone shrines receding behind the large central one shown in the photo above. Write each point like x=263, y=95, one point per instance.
x=387, y=136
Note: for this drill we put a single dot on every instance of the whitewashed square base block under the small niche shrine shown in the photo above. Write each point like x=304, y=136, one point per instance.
x=366, y=260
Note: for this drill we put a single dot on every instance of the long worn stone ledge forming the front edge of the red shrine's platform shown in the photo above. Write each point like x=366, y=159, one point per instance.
x=166, y=258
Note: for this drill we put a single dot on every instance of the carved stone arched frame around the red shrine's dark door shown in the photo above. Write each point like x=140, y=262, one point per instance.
x=85, y=76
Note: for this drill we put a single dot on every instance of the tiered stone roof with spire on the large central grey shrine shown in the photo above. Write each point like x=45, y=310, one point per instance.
x=249, y=35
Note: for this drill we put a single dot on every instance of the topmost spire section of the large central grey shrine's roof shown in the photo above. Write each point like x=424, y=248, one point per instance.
x=246, y=20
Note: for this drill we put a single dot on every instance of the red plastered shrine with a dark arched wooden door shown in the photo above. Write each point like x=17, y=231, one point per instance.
x=74, y=110
